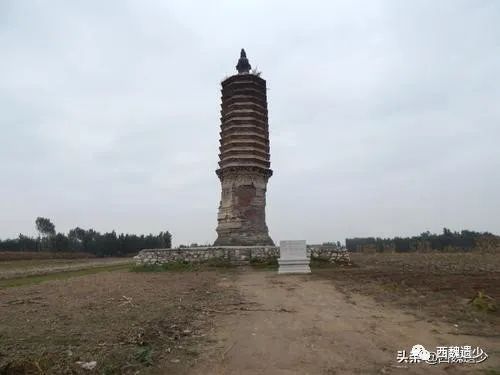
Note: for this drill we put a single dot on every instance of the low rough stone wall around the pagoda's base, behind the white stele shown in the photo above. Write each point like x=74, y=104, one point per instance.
x=238, y=255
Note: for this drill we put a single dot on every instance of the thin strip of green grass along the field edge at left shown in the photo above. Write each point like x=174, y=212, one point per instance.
x=59, y=275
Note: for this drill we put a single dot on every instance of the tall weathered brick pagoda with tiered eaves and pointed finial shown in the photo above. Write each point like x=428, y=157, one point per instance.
x=244, y=166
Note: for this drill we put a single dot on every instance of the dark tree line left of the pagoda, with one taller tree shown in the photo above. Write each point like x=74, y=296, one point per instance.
x=85, y=240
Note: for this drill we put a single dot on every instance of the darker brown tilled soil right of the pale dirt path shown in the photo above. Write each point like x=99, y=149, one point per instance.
x=432, y=286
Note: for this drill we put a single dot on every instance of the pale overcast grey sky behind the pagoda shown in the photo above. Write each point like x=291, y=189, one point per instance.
x=384, y=116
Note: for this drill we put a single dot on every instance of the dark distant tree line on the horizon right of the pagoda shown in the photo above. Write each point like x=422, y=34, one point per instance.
x=448, y=240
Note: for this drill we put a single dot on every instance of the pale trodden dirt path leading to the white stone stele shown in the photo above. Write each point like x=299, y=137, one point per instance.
x=301, y=324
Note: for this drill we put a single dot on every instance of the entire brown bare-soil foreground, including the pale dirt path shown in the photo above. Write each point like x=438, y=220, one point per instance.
x=338, y=320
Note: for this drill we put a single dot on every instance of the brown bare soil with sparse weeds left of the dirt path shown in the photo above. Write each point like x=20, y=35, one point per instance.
x=125, y=321
